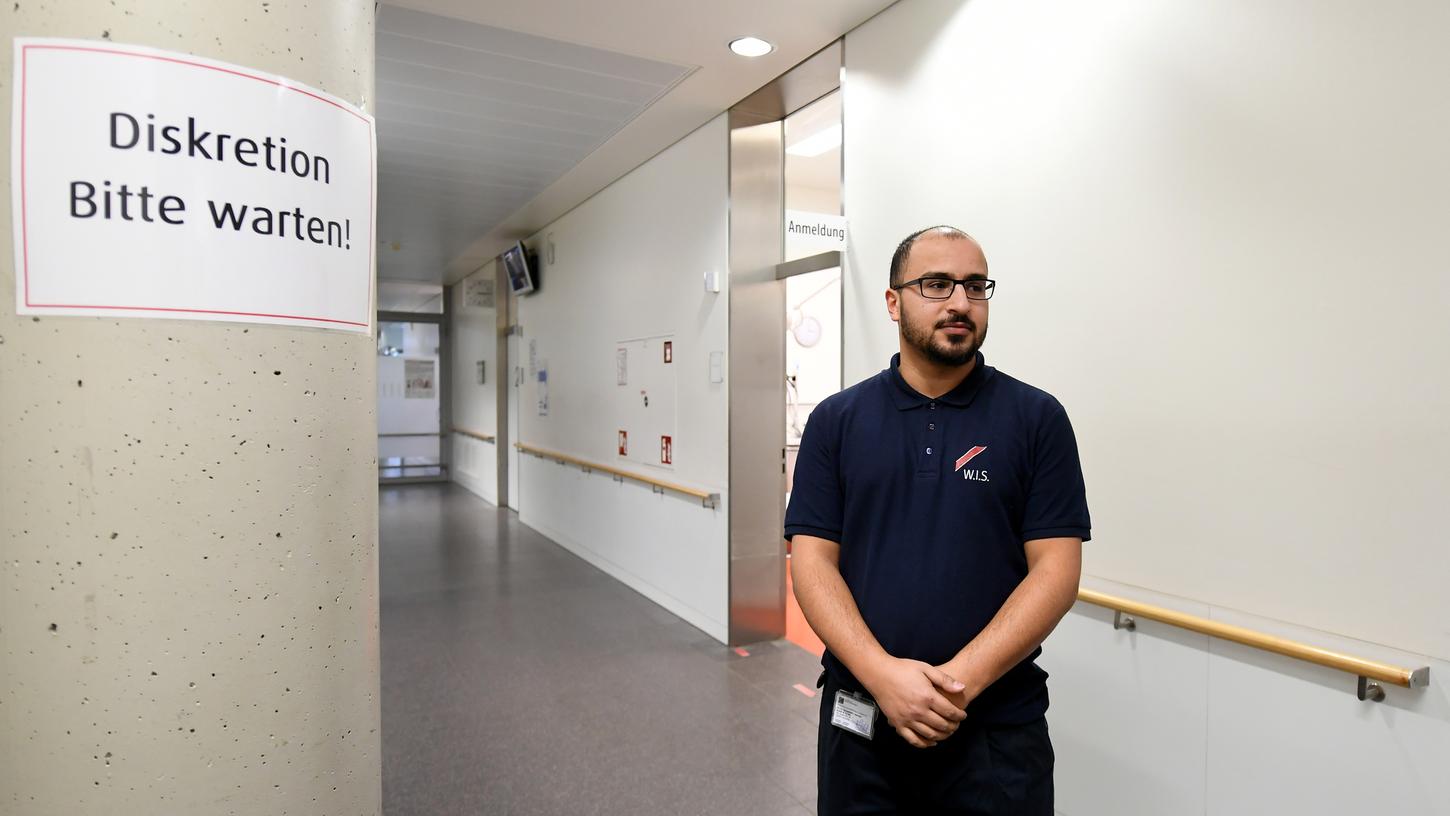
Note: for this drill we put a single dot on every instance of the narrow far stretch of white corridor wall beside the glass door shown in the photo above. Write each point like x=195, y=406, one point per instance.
x=475, y=465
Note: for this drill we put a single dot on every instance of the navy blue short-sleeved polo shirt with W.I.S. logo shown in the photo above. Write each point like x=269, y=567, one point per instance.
x=932, y=502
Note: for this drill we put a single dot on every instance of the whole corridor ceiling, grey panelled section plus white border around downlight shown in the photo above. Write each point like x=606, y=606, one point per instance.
x=497, y=118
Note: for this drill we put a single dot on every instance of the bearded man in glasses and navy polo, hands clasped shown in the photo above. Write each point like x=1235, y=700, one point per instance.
x=937, y=525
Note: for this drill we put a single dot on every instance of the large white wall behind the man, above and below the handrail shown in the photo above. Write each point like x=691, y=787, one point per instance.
x=1219, y=233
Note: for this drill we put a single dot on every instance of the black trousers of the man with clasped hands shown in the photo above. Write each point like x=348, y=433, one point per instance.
x=998, y=770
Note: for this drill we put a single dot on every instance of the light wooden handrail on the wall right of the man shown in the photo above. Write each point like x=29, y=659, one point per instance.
x=1365, y=669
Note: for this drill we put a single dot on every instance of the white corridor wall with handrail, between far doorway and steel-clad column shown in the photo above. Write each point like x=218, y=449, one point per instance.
x=630, y=263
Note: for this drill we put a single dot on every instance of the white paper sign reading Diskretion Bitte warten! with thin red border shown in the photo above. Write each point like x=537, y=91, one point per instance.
x=159, y=185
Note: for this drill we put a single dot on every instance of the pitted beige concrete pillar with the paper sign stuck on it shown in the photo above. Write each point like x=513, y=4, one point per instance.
x=189, y=509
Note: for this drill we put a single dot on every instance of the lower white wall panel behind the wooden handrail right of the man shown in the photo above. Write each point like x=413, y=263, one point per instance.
x=1164, y=721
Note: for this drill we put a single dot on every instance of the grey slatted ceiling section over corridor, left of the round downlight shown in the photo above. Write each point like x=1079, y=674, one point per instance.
x=475, y=121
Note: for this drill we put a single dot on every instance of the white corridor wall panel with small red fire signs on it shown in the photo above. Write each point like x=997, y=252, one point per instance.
x=645, y=402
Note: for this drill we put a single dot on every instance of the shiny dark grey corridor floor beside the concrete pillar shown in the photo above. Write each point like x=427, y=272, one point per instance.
x=518, y=679
